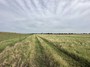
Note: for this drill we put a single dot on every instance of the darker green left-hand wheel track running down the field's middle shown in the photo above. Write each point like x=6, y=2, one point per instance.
x=44, y=58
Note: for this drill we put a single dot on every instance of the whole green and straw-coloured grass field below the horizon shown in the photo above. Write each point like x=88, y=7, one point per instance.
x=43, y=50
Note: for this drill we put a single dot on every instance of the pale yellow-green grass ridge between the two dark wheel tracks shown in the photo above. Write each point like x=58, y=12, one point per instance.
x=56, y=58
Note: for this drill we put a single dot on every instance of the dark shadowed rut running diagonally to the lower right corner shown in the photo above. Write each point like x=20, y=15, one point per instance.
x=70, y=57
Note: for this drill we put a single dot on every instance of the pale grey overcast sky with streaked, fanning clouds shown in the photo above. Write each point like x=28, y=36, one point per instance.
x=45, y=16
